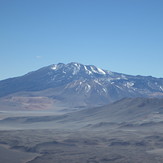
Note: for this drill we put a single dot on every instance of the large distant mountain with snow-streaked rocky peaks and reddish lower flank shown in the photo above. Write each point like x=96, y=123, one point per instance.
x=74, y=85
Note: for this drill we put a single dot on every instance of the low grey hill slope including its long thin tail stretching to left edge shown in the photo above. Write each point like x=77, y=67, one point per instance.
x=127, y=111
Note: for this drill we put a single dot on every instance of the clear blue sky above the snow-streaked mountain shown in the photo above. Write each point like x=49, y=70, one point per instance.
x=118, y=35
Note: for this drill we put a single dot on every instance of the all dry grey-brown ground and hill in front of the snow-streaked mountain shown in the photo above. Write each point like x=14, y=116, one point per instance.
x=87, y=136
